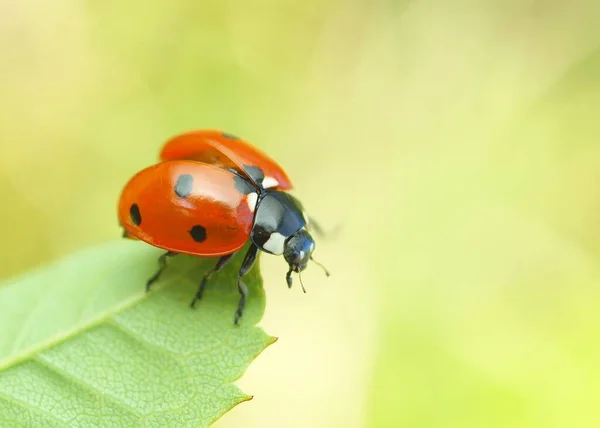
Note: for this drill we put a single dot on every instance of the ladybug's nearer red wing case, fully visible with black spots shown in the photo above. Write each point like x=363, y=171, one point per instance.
x=162, y=204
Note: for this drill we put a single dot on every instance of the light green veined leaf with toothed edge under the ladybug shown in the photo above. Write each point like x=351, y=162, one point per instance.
x=82, y=344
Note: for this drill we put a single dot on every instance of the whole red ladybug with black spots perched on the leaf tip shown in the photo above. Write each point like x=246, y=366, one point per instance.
x=209, y=196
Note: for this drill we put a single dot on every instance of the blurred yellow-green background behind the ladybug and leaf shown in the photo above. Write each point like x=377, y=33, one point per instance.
x=455, y=144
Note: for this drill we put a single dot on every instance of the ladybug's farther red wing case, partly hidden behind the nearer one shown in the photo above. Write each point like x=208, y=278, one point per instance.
x=227, y=151
